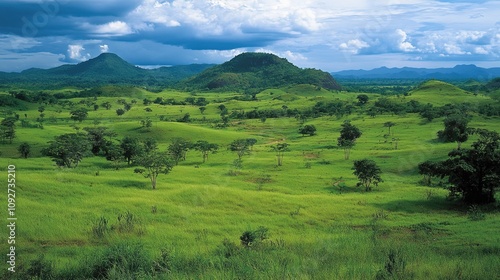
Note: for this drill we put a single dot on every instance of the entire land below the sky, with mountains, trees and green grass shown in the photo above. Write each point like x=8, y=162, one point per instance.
x=251, y=169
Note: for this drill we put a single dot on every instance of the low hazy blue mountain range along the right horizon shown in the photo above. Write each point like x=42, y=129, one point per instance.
x=459, y=72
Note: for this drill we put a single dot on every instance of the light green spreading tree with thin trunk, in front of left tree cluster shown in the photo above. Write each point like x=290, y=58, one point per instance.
x=154, y=164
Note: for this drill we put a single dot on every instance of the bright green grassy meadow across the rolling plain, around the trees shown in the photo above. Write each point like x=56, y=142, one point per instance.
x=315, y=222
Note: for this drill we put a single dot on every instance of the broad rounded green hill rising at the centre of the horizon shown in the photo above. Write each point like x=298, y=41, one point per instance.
x=257, y=71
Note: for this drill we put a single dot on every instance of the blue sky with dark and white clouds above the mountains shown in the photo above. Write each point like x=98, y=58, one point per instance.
x=324, y=34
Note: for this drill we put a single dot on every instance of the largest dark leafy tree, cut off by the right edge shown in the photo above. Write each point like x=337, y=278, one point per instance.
x=474, y=174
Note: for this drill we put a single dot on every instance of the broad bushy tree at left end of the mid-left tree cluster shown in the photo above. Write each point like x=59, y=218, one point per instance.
x=68, y=149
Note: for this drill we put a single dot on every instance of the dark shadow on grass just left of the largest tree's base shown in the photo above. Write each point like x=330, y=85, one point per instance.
x=418, y=206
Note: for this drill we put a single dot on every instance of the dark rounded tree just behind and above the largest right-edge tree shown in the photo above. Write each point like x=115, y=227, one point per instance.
x=455, y=130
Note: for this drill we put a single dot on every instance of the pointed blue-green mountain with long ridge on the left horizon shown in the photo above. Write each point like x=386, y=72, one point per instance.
x=107, y=68
